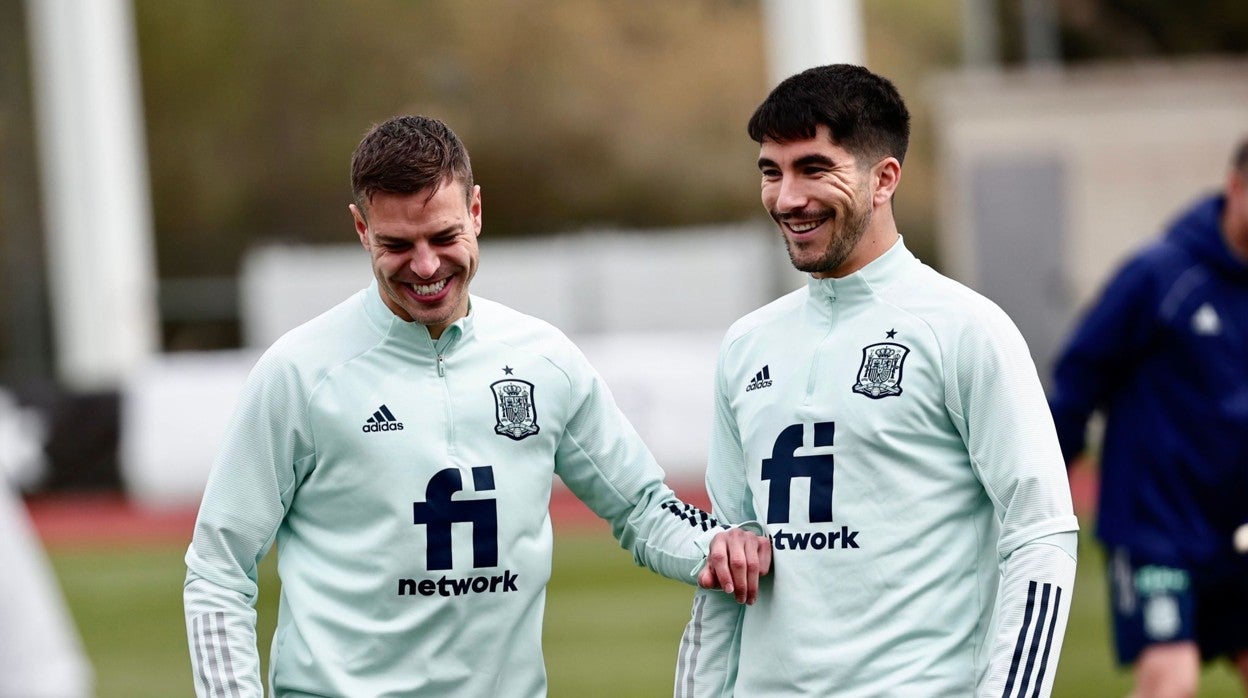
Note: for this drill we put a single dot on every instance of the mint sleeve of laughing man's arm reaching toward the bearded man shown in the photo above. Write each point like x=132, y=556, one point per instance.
x=603, y=461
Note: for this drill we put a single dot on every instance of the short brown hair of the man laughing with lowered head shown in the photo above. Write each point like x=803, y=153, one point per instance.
x=406, y=155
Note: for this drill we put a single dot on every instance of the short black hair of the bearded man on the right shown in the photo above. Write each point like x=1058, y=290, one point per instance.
x=864, y=113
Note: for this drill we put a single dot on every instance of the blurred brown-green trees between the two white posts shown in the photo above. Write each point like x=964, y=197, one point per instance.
x=576, y=113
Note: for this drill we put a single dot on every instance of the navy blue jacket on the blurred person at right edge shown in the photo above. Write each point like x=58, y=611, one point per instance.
x=1165, y=355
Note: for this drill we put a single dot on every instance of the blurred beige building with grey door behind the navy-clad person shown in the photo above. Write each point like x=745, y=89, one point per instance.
x=1050, y=178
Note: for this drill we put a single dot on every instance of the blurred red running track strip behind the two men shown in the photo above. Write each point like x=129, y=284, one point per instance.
x=108, y=520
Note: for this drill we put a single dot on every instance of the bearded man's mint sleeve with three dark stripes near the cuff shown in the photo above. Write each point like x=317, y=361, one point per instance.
x=1000, y=409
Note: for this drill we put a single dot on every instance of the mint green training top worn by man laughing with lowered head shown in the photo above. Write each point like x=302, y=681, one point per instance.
x=407, y=485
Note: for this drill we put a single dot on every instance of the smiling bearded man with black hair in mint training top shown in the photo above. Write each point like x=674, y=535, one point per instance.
x=889, y=428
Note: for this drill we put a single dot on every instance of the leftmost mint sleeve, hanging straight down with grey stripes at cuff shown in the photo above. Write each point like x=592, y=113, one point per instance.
x=249, y=490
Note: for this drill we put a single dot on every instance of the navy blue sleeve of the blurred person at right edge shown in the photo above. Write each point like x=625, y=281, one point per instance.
x=1100, y=353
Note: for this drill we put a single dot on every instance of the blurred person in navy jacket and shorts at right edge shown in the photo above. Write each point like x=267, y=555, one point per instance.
x=1164, y=354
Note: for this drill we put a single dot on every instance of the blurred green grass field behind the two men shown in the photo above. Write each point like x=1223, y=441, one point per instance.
x=611, y=631
